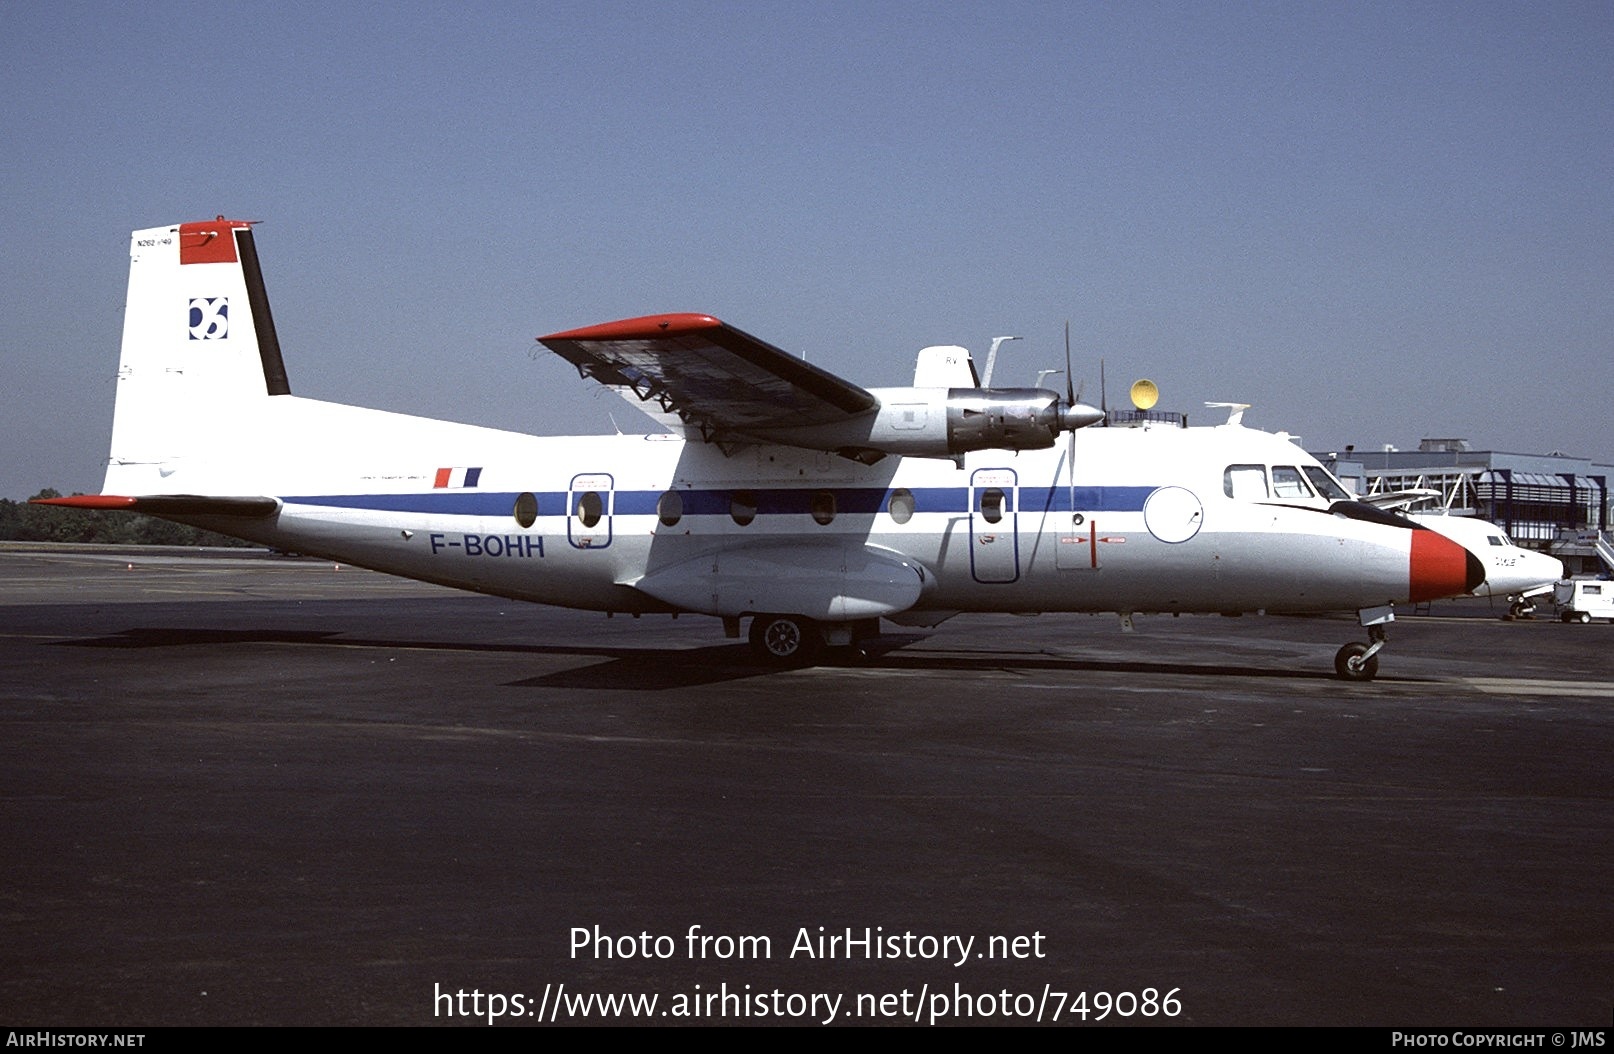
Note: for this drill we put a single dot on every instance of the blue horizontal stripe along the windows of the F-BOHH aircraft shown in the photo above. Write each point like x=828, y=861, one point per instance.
x=716, y=503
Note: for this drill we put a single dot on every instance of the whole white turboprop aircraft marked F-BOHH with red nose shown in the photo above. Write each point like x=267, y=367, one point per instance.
x=782, y=493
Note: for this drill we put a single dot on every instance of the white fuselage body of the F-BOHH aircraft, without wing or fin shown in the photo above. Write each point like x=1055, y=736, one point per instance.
x=1144, y=525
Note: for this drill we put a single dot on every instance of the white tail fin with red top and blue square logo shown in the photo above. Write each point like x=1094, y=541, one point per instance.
x=199, y=349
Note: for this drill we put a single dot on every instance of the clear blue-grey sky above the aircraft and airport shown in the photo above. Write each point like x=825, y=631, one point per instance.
x=1374, y=222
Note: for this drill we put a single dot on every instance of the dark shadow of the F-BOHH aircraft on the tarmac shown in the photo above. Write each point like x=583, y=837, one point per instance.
x=661, y=669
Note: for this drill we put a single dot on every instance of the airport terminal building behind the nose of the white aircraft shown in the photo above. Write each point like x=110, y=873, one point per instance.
x=1553, y=503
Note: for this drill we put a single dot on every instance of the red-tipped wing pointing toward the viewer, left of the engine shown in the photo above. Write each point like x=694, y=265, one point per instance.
x=719, y=383
